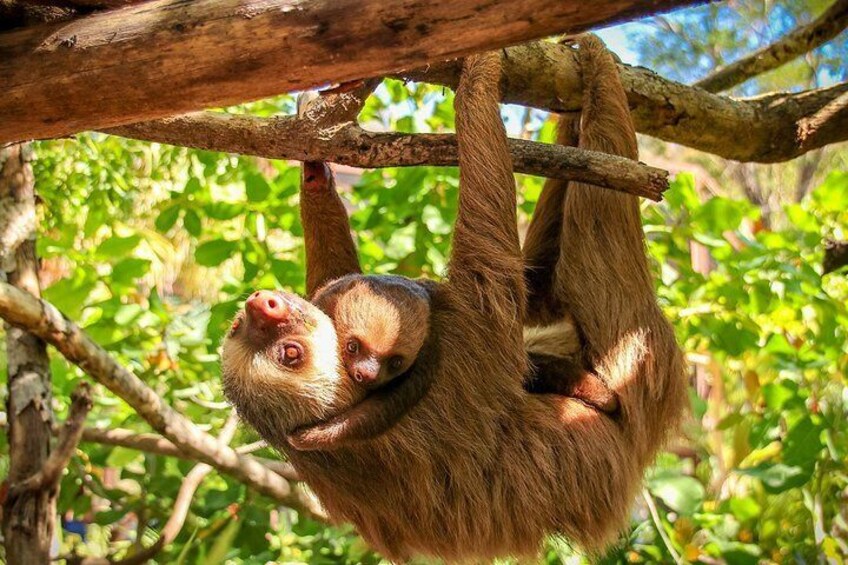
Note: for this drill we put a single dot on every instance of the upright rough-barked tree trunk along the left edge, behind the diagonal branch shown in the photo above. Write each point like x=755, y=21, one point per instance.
x=28, y=516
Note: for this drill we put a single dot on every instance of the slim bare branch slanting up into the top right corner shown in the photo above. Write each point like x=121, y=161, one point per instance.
x=794, y=44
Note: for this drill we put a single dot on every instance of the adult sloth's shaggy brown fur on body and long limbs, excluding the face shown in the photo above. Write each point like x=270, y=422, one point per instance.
x=480, y=468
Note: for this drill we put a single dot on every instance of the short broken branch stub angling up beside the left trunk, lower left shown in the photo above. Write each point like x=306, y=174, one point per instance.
x=69, y=436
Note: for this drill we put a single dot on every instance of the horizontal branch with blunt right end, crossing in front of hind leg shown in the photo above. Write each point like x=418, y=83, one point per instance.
x=348, y=144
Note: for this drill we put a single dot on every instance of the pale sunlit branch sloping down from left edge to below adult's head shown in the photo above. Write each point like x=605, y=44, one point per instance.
x=43, y=320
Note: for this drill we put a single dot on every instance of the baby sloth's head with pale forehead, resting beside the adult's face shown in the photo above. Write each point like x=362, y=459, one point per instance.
x=381, y=322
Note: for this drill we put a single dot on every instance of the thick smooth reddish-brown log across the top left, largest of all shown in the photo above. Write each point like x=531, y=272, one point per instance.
x=164, y=58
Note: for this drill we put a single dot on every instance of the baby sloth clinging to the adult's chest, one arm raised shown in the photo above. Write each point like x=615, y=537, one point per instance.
x=382, y=322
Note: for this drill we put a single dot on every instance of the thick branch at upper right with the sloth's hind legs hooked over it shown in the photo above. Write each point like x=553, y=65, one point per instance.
x=768, y=129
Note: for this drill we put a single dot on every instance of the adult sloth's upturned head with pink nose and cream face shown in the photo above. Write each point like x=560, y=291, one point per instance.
x=281, y=366
